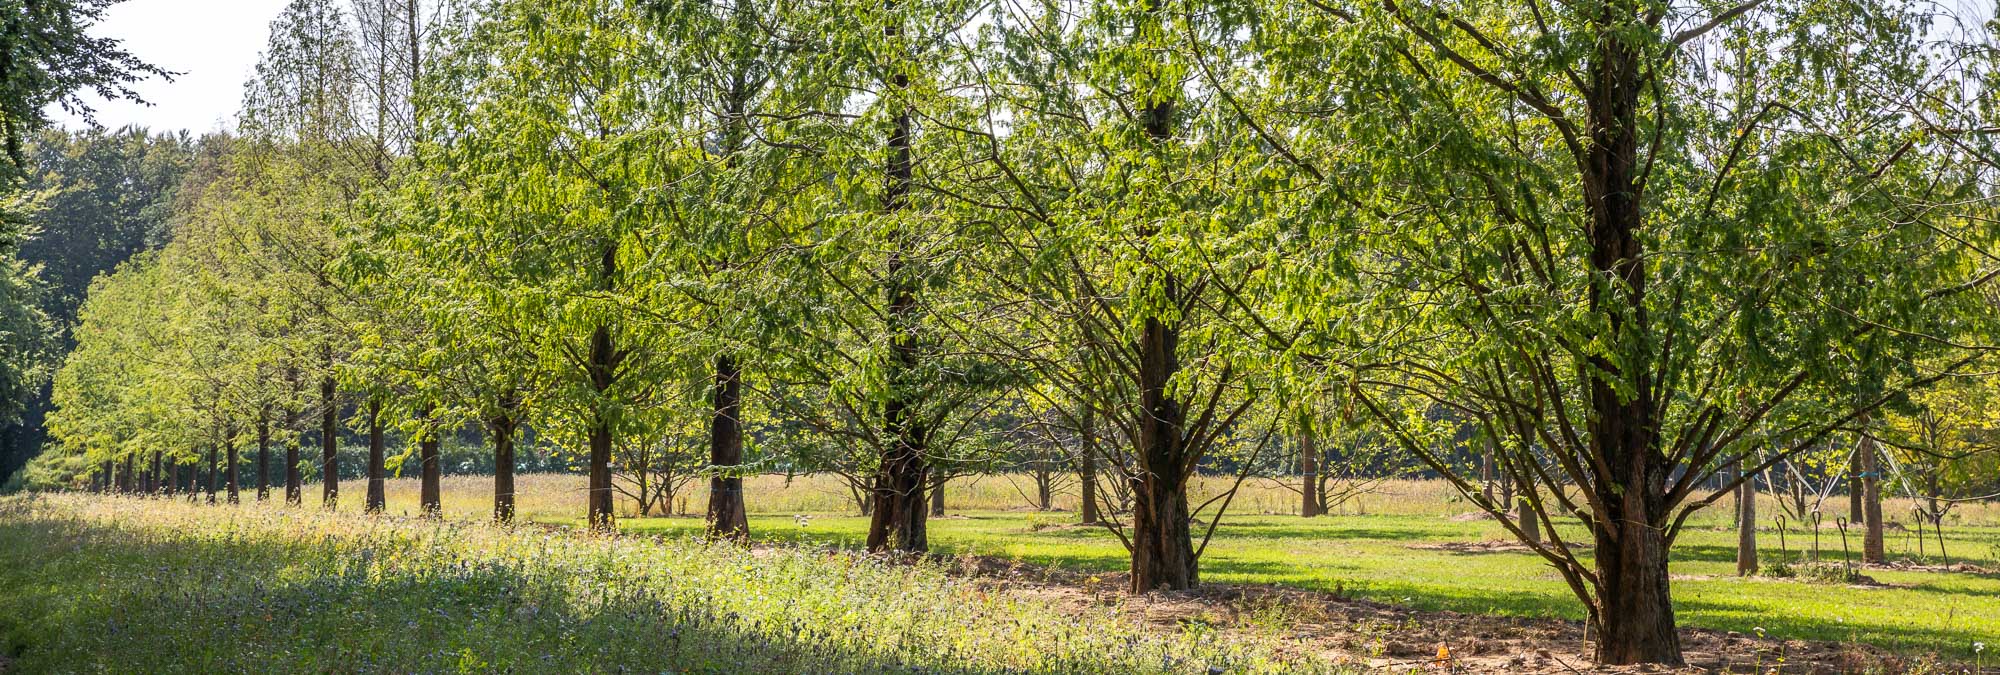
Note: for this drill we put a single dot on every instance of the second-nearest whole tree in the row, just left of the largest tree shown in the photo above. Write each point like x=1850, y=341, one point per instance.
x=1119, y=217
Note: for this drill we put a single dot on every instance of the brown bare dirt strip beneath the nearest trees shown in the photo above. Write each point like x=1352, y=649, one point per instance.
x=1399, y=640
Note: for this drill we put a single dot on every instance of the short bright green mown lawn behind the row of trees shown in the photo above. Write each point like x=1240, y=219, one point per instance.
x=1373, y=556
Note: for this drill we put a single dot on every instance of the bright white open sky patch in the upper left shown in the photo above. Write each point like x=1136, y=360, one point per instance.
x=211, y=43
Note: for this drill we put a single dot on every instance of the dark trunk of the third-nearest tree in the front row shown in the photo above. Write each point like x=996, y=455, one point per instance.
x=899, y=494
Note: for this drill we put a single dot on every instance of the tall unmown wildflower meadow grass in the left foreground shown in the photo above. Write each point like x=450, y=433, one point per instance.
x=101, y=584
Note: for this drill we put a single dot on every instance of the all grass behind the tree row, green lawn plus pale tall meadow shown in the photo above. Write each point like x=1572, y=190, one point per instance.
x=1367, y=552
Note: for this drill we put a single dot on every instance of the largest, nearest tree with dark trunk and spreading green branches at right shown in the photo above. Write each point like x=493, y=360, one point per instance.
x=1565, y=227
